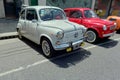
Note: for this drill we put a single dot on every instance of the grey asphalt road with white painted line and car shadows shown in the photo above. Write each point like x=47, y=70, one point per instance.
x=22, y=60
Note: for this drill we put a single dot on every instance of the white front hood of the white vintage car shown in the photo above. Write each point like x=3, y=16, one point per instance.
x=64, y=25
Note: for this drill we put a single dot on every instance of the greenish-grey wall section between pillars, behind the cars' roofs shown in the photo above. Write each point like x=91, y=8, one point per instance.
x=67, y=3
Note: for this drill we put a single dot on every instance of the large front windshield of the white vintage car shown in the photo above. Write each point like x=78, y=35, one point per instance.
x=51, y=14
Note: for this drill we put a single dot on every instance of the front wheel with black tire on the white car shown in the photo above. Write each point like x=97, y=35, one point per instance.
x=47, y=48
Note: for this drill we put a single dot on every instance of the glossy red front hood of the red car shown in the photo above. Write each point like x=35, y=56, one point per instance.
x=99, y=21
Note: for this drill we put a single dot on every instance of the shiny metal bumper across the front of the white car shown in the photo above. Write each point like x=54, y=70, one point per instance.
x=74, y=45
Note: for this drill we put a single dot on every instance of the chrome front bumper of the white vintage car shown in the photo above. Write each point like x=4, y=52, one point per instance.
x=66, y=45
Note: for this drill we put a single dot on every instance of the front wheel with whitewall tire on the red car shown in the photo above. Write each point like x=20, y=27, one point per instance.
x=92, y=36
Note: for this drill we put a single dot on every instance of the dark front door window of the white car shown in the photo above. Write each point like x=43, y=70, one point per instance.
x=31, y=14
